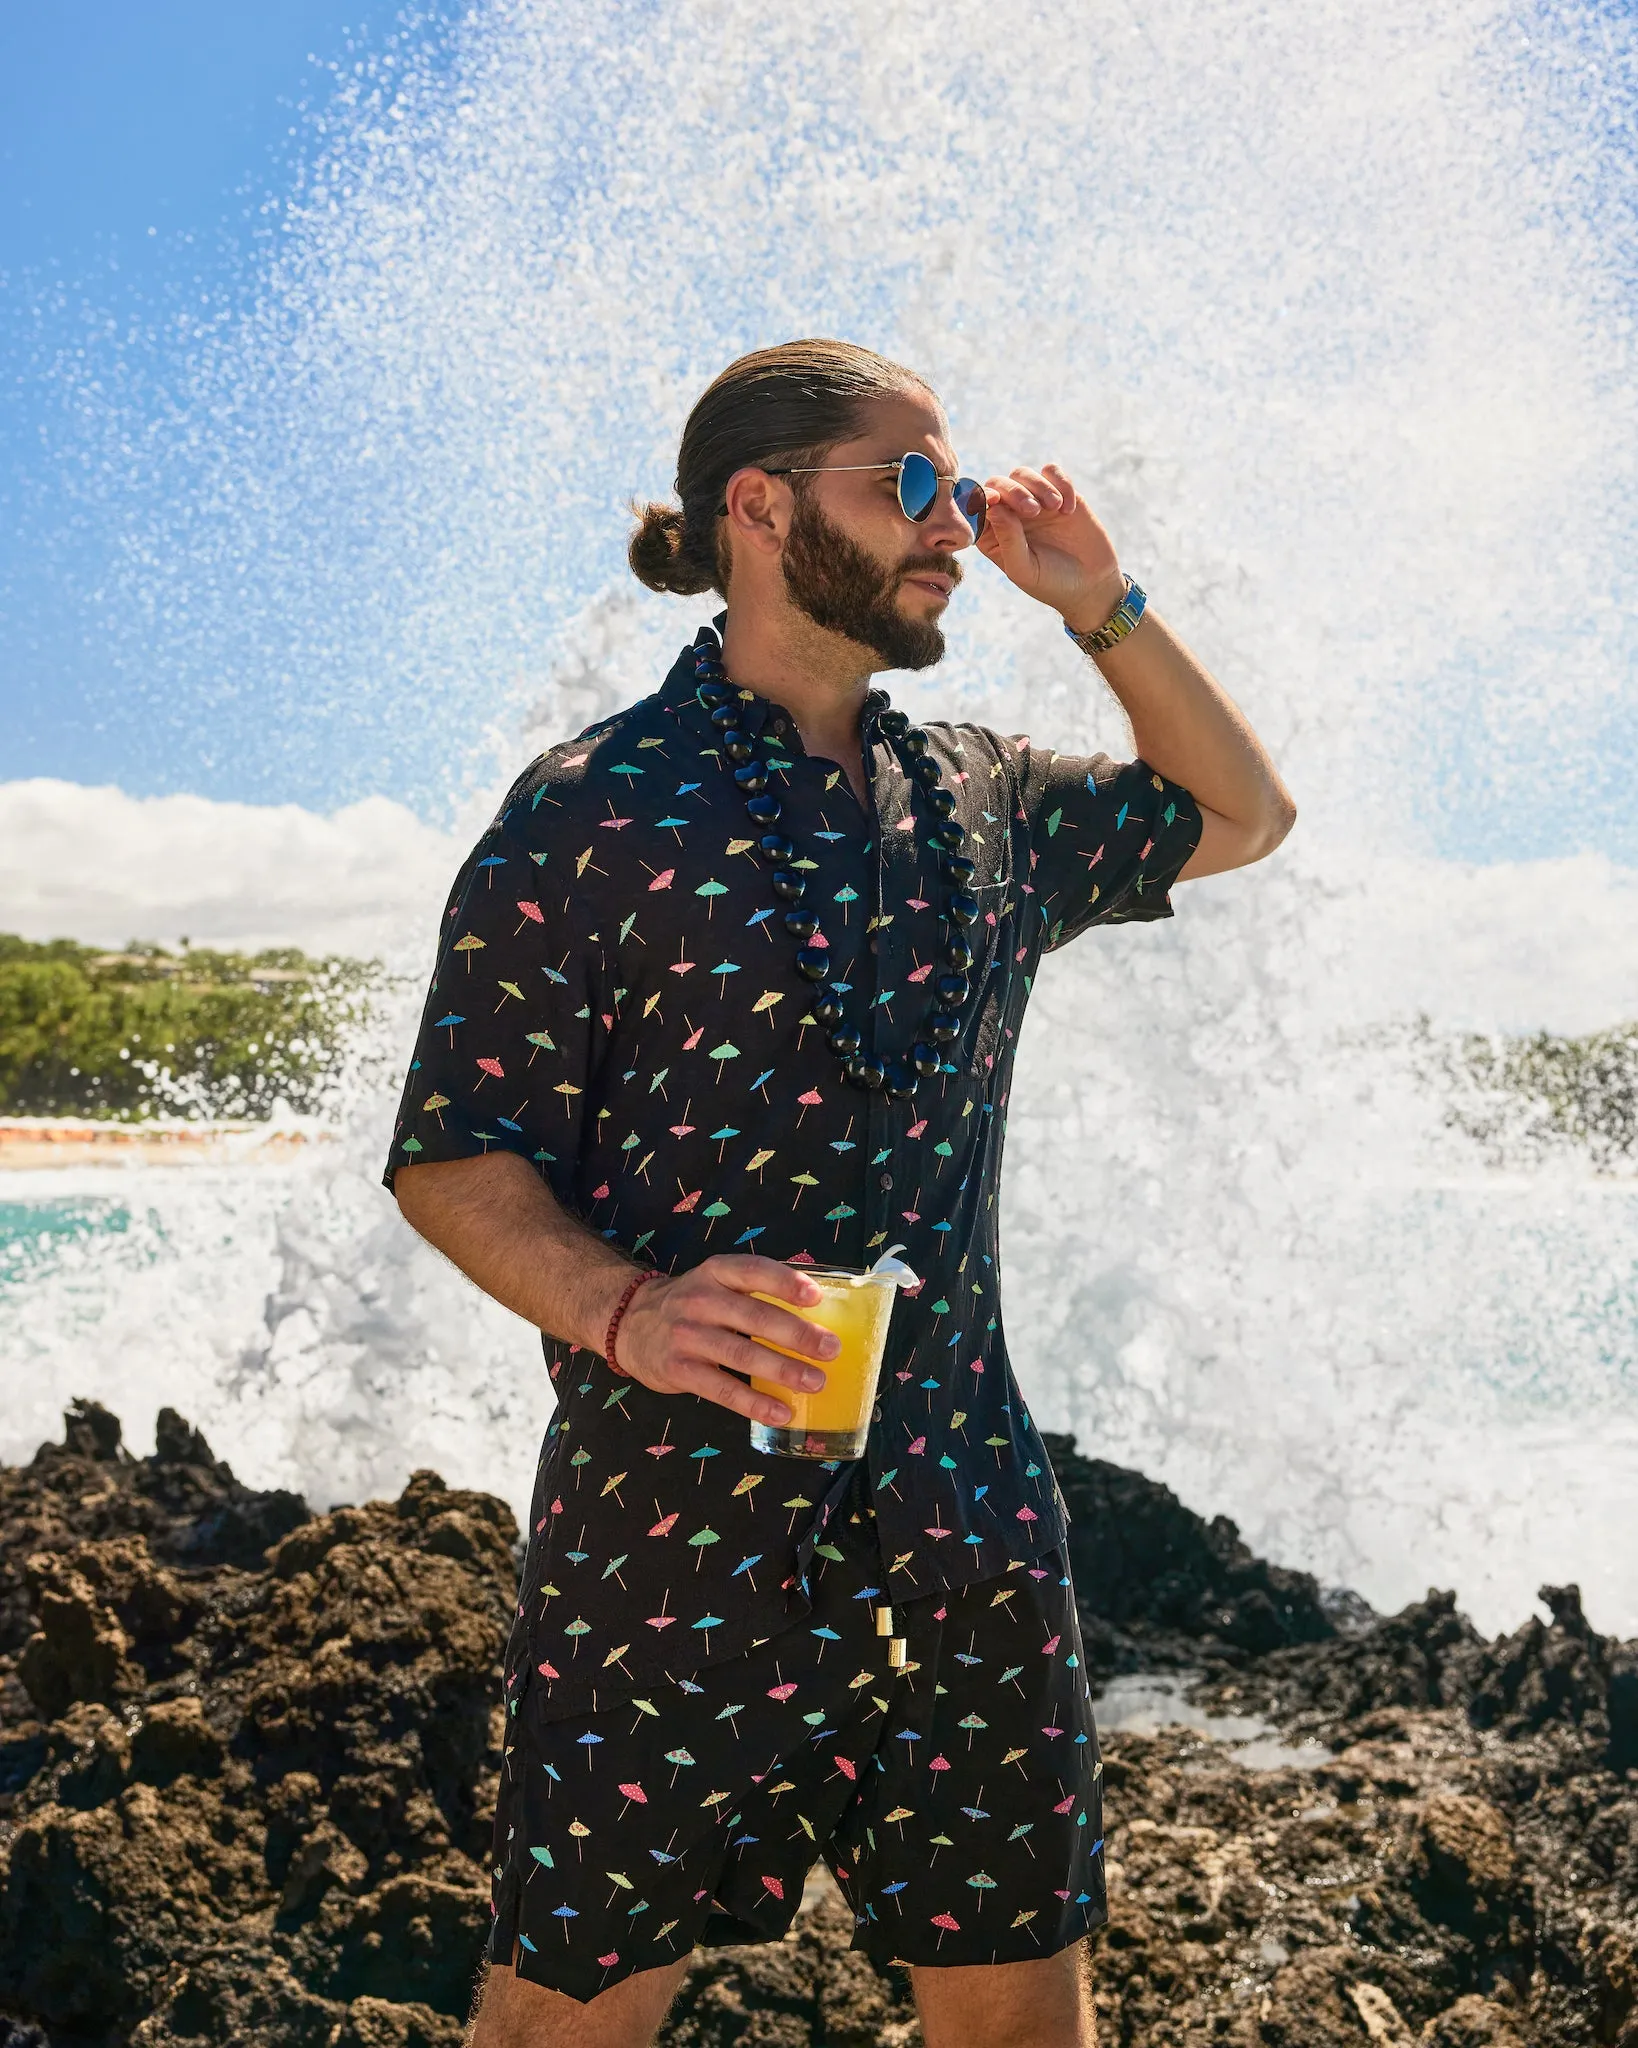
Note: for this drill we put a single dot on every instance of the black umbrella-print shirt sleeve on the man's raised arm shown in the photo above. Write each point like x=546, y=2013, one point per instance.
x=1107, y=841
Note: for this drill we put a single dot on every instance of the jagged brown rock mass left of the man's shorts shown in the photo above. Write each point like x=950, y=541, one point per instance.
x=255, y=1803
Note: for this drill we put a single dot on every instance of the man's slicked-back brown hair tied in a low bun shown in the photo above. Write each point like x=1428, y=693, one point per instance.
x=777, y=407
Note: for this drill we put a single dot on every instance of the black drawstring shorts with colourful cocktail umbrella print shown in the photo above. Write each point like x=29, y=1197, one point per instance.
x=957, y=1801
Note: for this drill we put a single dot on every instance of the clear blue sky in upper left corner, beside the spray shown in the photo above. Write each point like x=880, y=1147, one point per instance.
x=136, y=151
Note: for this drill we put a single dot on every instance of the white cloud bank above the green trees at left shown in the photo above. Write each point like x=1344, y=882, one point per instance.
x=105, y=867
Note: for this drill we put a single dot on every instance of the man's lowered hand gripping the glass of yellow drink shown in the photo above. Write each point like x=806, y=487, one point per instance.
x=691, y=1334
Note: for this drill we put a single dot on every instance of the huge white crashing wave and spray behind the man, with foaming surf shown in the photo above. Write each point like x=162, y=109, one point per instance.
x=1328, y=312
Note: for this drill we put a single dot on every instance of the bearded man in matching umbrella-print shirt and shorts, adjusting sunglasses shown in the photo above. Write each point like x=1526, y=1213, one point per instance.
x=732, y=986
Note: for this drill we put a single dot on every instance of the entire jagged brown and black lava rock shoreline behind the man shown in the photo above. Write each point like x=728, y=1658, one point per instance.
x=247, y=1758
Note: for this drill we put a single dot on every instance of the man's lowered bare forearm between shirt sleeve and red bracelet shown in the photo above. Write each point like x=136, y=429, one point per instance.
x=509, y=1234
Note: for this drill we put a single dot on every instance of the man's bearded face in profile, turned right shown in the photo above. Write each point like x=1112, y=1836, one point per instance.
x=855, y=564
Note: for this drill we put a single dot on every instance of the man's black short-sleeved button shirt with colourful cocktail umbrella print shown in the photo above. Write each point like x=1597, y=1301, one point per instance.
x=615, y=1000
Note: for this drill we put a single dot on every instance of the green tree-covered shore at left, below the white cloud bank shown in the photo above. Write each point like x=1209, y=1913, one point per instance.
x=142, y=1033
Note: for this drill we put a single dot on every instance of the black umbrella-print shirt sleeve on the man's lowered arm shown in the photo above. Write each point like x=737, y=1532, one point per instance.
x=505, y=1048
